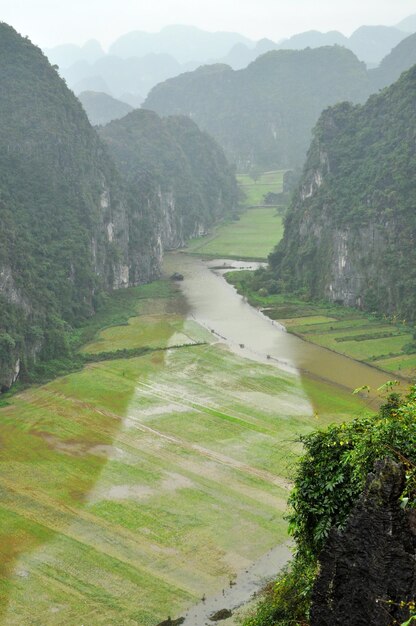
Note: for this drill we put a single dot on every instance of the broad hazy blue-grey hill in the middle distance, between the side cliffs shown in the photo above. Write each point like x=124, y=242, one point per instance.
x=263, y=115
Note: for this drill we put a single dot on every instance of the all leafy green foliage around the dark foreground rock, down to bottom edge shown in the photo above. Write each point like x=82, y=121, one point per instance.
x=330, y=478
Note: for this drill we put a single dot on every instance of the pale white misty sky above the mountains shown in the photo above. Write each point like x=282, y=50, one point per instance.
x=50, y=22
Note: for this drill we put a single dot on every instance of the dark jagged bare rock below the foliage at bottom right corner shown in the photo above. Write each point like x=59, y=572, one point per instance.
x=370, y=568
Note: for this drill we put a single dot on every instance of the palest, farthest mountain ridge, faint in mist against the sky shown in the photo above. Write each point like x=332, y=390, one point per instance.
x=138, y=60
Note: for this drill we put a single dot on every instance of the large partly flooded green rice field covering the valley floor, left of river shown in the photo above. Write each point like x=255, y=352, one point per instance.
x=135, y=485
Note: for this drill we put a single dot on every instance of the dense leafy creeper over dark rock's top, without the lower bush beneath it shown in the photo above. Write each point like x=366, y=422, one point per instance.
x=333, y=471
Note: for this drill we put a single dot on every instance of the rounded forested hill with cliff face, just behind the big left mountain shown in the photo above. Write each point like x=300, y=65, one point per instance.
x=181, y=171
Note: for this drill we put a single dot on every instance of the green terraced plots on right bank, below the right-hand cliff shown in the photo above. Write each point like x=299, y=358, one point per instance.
x=379, y=342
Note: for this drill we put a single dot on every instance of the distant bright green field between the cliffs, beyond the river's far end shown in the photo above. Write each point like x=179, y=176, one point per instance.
x=256, y=231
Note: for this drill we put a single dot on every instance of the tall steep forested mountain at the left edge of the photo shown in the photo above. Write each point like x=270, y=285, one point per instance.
x=54, y=254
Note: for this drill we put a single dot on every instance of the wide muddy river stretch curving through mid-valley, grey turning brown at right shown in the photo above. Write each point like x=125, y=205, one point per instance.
x=216, y=305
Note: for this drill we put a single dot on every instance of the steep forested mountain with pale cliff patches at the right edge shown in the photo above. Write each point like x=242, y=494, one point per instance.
x=350, y=232
